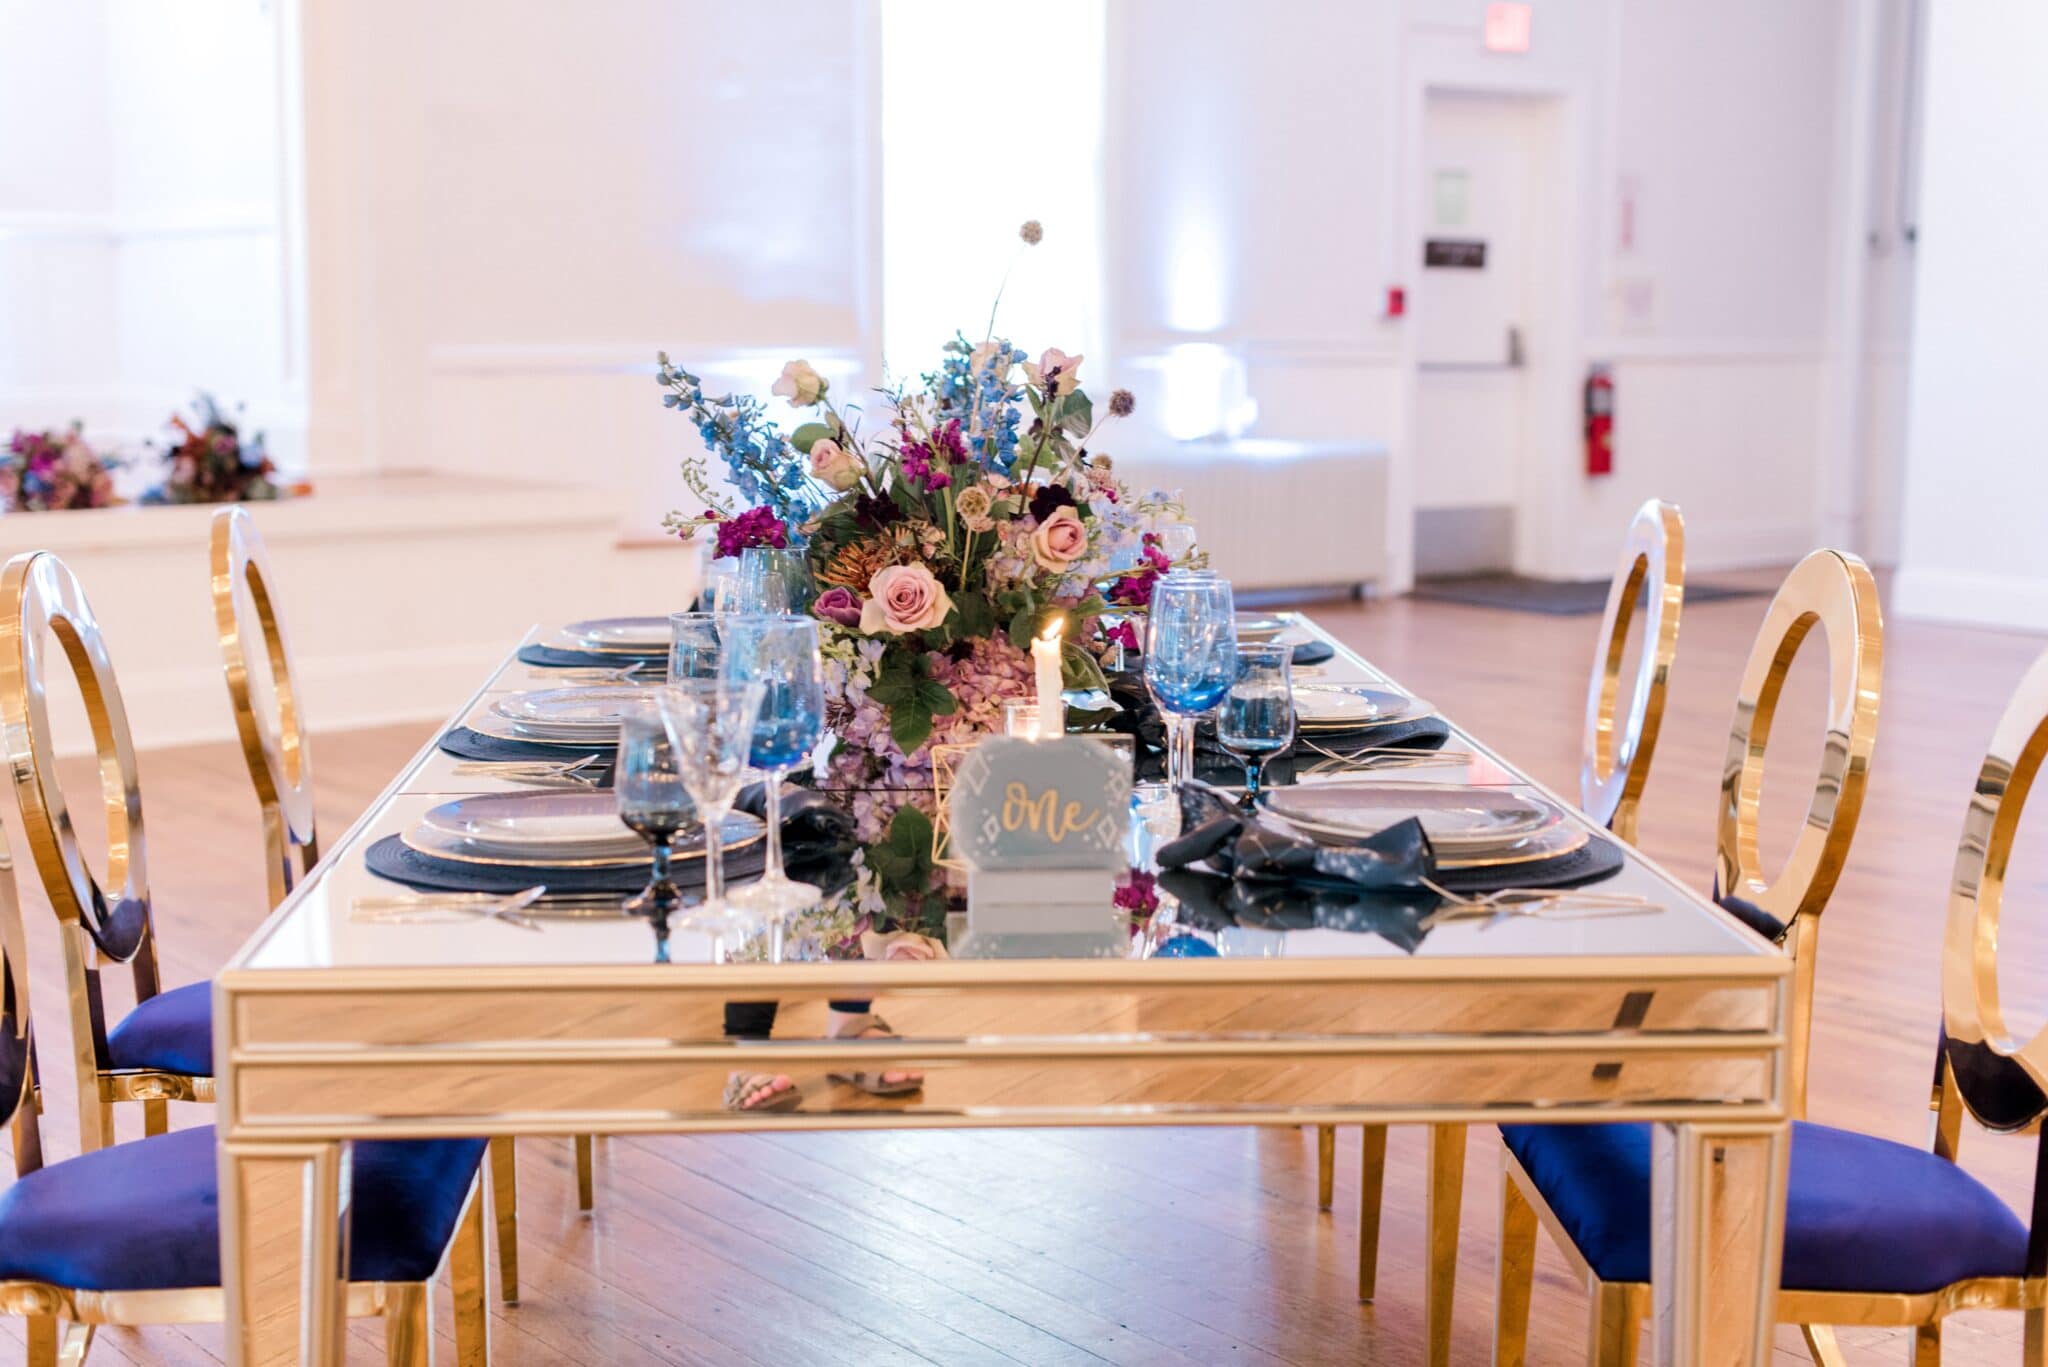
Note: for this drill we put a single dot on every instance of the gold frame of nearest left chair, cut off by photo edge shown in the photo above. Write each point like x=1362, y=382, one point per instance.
x=62, y=1321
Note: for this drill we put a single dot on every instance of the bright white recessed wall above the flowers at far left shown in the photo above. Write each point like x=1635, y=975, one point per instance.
x=146, y=214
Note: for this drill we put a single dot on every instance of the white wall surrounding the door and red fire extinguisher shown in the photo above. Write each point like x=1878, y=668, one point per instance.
x=1265, y=188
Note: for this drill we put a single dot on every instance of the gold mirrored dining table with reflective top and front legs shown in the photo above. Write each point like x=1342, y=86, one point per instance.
x=333, y=1030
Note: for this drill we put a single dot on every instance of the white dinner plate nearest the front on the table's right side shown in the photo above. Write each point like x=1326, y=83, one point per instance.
x=1455, y=819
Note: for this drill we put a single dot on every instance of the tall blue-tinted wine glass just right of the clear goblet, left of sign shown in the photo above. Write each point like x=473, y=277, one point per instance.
x=781, y=655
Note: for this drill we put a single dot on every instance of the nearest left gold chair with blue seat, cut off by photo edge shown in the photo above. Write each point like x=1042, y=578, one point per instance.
x=130, y=1235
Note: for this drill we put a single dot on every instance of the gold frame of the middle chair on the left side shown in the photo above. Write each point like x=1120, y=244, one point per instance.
x=42, y=606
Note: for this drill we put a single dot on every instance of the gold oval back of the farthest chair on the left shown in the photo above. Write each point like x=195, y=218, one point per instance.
x=267, y=714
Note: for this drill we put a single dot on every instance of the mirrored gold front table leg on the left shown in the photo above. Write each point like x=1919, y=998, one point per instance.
x=284, y=1247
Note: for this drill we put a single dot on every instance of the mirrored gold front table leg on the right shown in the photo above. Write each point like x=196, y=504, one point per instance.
x=1717, y=1231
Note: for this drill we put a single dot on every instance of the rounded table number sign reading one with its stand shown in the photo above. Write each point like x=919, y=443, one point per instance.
x=1041, y=827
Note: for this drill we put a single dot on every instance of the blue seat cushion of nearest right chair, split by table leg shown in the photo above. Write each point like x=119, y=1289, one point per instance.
x=1863, y=1214
